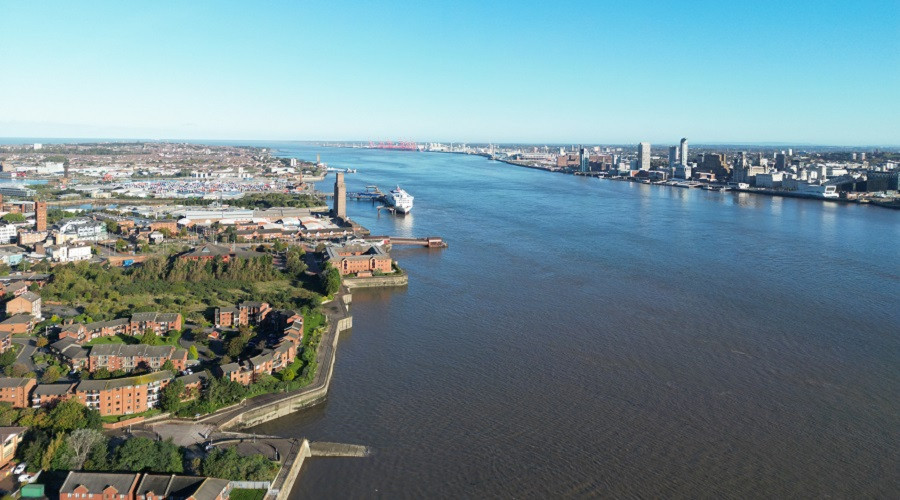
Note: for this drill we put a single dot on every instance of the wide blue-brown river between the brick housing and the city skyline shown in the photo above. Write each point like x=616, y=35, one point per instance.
x=583, y=337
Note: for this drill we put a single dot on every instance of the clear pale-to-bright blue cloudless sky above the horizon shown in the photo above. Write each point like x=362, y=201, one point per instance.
x=595, y=72
